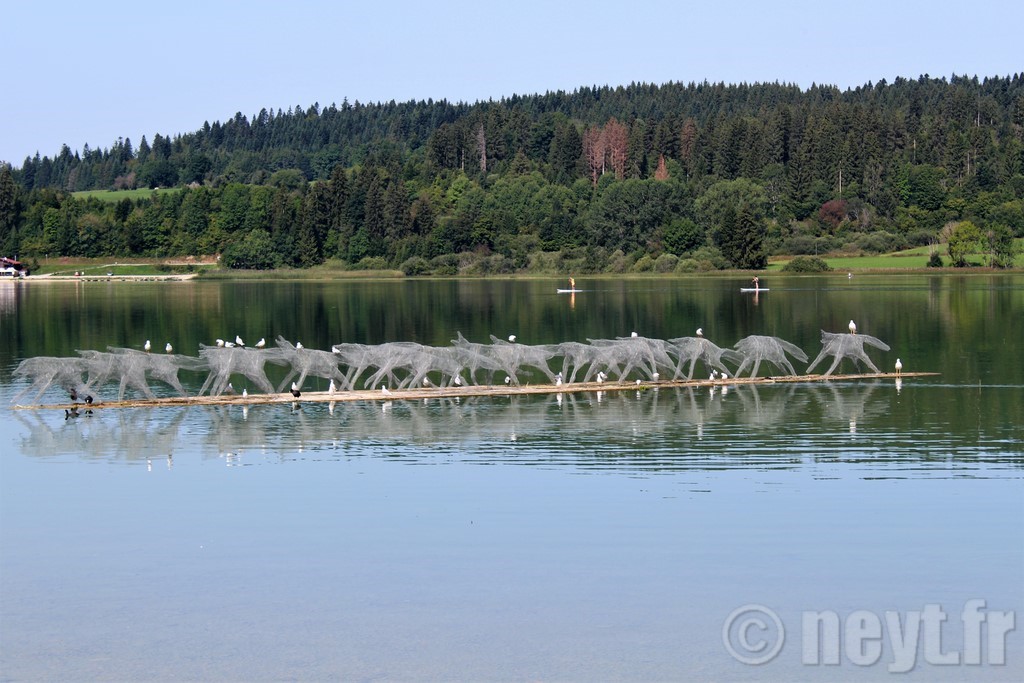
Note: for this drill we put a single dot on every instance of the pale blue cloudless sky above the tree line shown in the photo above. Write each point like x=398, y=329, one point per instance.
x=80, y=73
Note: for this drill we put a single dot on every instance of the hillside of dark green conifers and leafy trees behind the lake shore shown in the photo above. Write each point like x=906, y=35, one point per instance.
x=670, y=178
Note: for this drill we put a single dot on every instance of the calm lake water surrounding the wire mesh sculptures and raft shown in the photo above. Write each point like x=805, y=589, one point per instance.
x=531, y=538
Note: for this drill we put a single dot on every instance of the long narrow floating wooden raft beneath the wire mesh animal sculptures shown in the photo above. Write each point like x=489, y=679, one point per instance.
x=462, y=392
